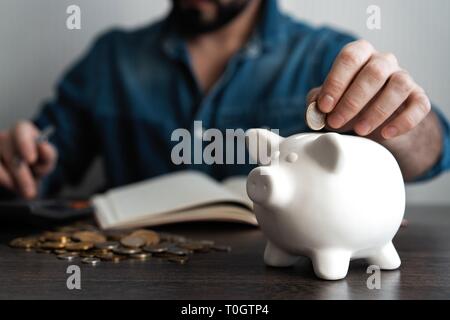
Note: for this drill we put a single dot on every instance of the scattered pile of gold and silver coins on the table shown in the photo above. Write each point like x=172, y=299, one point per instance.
x=90, y=245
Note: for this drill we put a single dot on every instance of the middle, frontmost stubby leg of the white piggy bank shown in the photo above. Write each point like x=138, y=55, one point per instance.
x=331, y=264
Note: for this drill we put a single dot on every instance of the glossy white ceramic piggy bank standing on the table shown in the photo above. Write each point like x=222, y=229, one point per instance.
x=329, y=197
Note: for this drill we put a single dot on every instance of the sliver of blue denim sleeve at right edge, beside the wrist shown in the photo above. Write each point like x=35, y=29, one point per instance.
x=443, y=163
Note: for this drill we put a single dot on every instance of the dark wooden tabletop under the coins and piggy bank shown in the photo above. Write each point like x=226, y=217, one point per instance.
x=424, y=247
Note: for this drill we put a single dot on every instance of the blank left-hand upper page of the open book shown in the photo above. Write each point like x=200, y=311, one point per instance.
x=168, y=193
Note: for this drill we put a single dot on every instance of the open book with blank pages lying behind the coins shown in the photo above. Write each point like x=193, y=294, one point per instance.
x=177, y=197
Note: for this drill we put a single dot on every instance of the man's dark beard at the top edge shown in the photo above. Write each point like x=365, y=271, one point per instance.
x=191, y=21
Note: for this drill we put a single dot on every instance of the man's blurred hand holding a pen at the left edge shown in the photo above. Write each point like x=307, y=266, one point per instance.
x=24, y=160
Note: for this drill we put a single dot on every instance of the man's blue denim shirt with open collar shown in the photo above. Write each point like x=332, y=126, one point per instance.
x=125, y=97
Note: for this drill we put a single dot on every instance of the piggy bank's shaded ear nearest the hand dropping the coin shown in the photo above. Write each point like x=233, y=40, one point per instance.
x=327, y=151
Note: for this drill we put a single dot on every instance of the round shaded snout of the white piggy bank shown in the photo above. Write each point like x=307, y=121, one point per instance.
x=260, y=185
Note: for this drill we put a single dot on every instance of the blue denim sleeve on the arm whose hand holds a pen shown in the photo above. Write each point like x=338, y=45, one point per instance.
x=69, y=114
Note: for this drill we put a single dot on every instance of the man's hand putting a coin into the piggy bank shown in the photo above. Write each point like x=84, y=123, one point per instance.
x=367, y=91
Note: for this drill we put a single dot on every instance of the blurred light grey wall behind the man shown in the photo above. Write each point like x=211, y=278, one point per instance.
x=36, y=47
